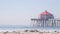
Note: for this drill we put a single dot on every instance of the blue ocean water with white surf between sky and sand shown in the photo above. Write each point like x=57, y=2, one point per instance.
x=19, y=27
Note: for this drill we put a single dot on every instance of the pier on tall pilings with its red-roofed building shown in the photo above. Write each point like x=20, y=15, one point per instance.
x=45, y=19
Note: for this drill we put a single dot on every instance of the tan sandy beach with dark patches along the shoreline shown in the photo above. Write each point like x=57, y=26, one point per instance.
x=29, y=32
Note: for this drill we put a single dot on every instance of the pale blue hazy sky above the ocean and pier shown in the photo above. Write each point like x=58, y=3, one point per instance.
x=19, y=12
